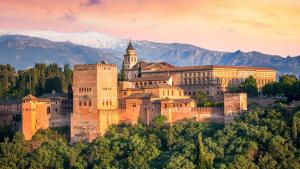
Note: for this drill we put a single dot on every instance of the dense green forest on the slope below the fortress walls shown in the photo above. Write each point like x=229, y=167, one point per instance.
x=261, y=138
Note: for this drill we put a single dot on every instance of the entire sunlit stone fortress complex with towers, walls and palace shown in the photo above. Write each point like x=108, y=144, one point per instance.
x=150, y=89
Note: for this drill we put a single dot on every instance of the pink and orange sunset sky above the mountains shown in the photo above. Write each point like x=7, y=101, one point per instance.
x=268, y=26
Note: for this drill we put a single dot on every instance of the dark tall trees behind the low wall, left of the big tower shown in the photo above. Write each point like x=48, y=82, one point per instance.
x=38, y=80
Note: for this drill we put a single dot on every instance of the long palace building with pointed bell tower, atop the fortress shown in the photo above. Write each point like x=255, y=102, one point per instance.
x=213, y=80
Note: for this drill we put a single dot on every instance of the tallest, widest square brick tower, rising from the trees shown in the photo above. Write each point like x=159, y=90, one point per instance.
x=94, y=91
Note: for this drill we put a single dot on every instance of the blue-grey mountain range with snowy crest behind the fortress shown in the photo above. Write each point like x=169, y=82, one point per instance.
x=24, y=48
